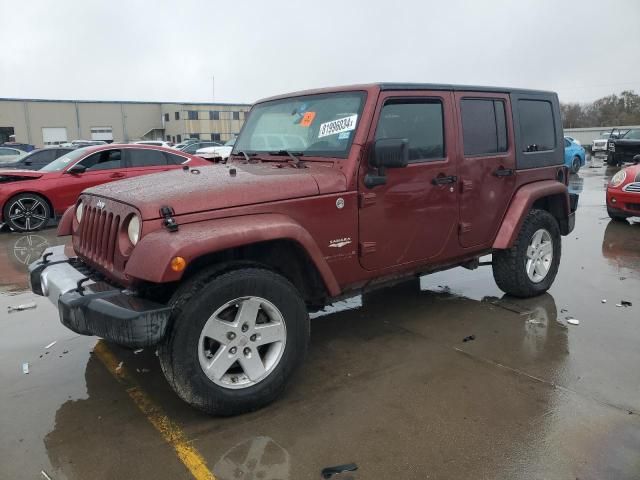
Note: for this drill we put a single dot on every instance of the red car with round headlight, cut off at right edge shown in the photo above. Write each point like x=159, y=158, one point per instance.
x=623, y=193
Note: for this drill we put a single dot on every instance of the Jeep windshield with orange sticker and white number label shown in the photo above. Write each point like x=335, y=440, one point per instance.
x=320, y=125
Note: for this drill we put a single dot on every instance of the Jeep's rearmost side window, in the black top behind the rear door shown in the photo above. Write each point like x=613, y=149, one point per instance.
x=537, y=130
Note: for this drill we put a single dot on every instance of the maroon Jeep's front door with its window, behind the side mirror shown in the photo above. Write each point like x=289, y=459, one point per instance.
x=413, y=217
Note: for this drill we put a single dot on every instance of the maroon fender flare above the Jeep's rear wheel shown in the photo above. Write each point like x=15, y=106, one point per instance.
x=521, y=204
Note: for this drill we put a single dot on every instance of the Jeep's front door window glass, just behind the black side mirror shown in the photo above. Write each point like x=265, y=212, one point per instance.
x=419, y=121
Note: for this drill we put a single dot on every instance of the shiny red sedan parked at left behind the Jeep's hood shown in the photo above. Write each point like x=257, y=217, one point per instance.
x=29, y=199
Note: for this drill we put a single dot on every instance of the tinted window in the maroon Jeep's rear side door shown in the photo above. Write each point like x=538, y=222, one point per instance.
x=484, y=126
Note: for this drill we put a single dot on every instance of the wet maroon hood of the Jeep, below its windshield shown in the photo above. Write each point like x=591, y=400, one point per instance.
x=215, y=188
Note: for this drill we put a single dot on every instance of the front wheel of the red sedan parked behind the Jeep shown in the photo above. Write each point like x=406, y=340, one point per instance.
x=33, y=208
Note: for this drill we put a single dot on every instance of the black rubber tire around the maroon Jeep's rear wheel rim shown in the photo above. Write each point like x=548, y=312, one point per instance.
x=509, y=266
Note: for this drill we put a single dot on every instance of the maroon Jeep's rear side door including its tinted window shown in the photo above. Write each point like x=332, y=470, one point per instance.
x=487, y=170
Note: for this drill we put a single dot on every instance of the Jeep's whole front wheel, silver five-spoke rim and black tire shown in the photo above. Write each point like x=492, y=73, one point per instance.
x=235, y=341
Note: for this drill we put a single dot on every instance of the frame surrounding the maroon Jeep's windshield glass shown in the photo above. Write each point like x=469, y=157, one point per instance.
x=324, y=154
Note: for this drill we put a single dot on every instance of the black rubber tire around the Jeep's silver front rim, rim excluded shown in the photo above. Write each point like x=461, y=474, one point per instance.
x=194, y=303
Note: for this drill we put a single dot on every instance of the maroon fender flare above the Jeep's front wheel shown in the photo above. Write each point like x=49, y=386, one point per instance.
x=151, y=258
